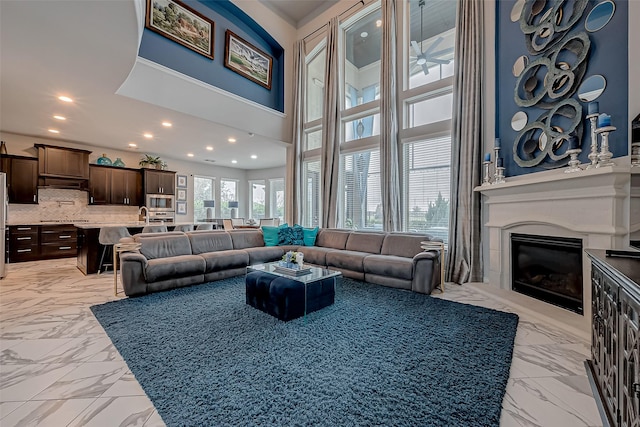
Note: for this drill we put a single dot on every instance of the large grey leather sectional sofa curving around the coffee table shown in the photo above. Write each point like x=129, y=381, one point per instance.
x=170, y=260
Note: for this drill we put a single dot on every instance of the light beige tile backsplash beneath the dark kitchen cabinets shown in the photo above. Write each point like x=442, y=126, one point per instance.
x=68, y=205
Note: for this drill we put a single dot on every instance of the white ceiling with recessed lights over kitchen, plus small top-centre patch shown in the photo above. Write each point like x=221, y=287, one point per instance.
x=86, y=49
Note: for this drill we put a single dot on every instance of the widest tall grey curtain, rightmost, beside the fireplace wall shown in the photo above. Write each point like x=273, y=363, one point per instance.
x=464, y=263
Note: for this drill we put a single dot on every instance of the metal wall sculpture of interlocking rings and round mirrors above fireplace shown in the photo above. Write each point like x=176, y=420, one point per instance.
x=549, y=78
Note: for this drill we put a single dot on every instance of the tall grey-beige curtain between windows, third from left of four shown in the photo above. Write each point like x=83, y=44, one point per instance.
x=389, y=158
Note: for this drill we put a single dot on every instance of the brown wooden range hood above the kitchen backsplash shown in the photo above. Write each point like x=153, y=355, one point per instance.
x=62, y=167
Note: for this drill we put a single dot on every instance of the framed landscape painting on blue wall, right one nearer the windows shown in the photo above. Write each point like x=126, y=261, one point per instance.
x=247, y=60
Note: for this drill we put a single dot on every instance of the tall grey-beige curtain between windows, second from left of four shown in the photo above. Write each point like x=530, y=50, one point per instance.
x=330, y=157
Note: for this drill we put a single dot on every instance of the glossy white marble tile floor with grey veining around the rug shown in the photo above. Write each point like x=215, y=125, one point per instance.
x=59, y=368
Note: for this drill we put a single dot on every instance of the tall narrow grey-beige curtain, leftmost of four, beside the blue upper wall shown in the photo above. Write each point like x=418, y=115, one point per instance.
x=294, y=152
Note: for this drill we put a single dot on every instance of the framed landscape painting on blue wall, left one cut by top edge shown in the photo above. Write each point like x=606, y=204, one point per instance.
x=178, y=22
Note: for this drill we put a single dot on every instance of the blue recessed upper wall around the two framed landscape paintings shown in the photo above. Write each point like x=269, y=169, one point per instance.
x=225, y=15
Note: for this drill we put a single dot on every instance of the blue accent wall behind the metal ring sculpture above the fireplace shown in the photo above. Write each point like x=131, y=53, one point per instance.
x=608, y=57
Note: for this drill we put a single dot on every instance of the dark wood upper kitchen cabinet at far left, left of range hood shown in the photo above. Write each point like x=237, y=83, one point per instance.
x=22, y=179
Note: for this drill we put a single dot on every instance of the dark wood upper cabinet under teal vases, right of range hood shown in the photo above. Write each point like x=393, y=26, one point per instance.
x=110, y=185
